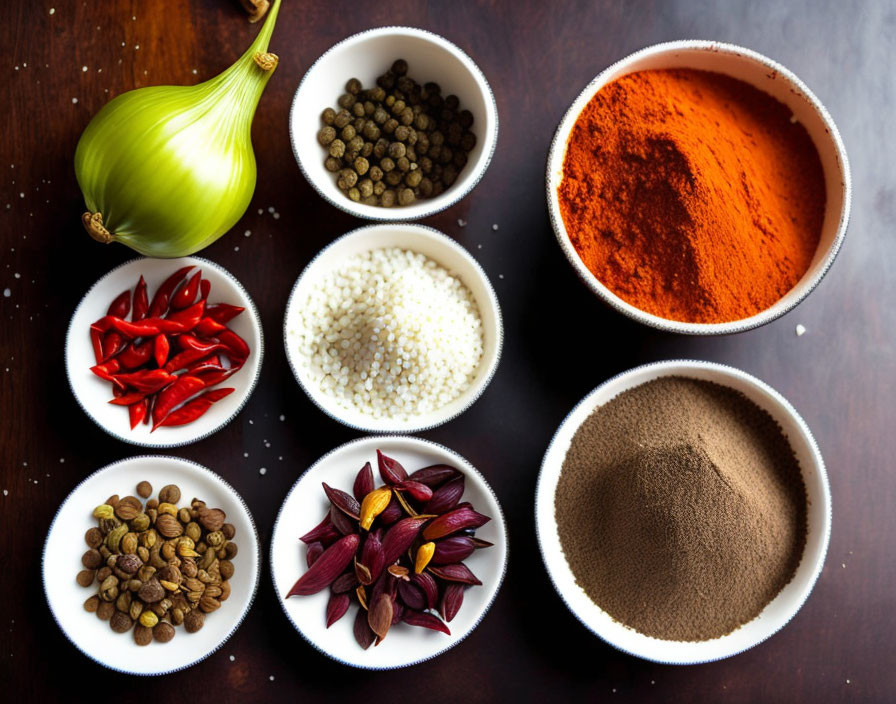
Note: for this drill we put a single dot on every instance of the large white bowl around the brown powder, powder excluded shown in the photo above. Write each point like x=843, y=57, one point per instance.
x=779, y=611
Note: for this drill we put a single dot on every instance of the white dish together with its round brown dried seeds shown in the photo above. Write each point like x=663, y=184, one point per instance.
x=151, y=564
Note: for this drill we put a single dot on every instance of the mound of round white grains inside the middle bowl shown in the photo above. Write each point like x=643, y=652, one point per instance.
x=391, y=334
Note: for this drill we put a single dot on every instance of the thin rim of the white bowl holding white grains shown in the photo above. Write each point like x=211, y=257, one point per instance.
x=492, y=295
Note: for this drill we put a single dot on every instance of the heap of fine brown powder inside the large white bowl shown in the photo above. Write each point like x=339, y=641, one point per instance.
x=681, y=509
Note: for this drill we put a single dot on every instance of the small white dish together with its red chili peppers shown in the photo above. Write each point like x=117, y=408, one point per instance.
x=164, y=352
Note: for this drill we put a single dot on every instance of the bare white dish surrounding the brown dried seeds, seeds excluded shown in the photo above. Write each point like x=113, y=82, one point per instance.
x=65, y=545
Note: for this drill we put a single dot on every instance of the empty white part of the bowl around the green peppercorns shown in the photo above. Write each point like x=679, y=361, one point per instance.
x=365, y=56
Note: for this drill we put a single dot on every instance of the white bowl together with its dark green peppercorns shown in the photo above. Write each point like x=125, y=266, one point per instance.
x=394, y=123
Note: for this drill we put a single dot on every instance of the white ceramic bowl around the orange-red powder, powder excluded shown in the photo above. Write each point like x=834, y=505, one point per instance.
x=768, y=76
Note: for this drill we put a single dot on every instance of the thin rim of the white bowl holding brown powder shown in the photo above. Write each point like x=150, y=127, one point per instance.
x=672, y=367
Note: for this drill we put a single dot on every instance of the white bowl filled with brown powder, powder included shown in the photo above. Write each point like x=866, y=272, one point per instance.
x=683, y=511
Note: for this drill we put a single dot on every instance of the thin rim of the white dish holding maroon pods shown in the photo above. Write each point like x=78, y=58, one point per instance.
x=426, y=445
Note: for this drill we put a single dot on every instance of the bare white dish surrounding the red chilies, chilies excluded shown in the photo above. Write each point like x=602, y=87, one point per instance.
x=93, y=394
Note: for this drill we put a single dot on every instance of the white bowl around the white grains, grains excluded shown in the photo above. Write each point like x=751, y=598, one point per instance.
x=447, y=253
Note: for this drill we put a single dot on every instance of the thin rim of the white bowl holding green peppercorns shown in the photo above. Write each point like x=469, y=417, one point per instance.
x=444, y=200
